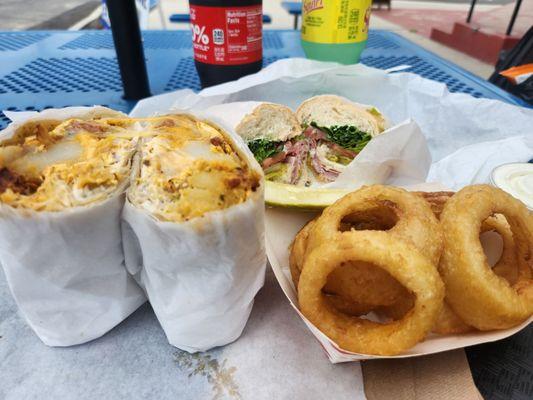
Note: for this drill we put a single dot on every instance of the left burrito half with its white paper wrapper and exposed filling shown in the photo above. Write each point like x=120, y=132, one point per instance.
x=62, y=179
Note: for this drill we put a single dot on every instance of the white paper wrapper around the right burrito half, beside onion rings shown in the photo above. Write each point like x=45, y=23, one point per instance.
x=200, y=276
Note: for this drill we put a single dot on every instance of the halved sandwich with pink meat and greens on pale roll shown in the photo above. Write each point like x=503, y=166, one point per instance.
x=313, y=145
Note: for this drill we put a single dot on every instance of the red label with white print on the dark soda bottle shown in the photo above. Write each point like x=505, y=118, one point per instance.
x=227, y=35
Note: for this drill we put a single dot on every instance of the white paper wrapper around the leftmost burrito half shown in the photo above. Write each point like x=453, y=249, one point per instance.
x=66, y=269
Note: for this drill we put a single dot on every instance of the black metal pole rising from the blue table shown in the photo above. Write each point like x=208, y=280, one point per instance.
x=129, y=48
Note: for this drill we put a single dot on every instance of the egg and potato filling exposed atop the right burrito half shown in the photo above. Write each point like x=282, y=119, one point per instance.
x=189, y=168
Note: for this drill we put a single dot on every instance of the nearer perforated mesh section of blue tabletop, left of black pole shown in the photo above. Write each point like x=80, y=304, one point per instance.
x=54, y=75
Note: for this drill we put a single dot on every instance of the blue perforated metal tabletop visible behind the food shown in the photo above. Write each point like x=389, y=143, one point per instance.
x=75, y=68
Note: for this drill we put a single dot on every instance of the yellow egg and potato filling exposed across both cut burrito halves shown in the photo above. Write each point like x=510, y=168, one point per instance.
x=187, y=167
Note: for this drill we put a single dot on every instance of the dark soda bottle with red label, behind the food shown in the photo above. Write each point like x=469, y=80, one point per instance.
x=227, y=37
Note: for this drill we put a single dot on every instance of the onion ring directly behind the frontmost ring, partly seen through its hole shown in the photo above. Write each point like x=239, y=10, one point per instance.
x=404, y=215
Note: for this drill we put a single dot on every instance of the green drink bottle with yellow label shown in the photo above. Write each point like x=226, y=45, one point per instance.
x=335, y=30
